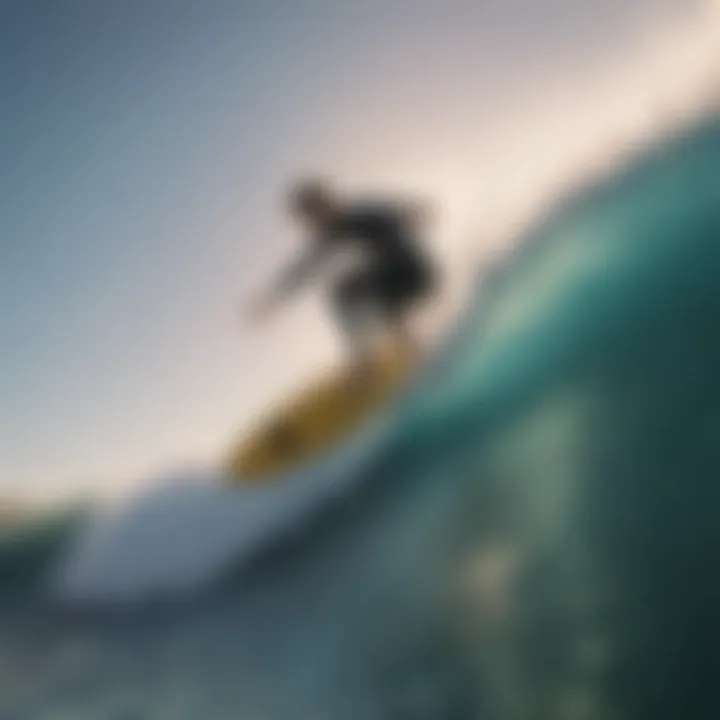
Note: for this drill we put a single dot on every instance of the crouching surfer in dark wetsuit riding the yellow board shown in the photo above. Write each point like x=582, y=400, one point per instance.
x=393, y=277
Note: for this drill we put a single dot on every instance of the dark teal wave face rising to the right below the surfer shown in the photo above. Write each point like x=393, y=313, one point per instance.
x=536, y=538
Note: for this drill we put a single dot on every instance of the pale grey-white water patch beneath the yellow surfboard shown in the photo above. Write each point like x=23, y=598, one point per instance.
x=178, y=534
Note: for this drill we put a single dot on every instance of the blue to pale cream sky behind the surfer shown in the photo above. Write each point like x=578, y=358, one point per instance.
x=145, y=146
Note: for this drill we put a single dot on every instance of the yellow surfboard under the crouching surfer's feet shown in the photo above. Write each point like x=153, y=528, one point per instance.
x=317, y=419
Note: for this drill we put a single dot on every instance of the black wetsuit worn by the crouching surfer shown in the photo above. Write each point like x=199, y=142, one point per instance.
x=395, y=275
